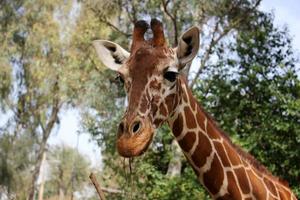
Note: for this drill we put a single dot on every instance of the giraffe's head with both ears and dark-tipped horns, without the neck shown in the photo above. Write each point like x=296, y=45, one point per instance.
x=150, y=74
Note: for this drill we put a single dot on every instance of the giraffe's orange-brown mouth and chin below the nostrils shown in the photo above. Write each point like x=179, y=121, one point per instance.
x=132, y=145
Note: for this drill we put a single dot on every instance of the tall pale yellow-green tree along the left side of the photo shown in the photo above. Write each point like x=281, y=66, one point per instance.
x=41, y=74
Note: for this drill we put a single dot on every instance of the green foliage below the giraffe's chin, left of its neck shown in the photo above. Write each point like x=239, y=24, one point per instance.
x=145, y=178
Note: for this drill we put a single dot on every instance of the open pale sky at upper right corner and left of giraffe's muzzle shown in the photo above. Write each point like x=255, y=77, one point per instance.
x=287, y=13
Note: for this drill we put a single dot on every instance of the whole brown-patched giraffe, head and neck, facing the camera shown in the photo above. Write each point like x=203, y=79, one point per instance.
x=158, y=93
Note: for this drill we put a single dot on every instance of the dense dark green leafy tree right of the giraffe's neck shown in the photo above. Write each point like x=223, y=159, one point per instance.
x=255, y=96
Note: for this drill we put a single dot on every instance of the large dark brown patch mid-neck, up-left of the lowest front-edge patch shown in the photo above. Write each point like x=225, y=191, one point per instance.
x=202, y=150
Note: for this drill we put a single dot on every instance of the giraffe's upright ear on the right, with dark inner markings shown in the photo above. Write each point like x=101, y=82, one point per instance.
x=188, y=46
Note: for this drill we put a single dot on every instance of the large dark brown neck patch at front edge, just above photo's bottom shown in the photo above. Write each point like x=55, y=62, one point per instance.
x=213, y=178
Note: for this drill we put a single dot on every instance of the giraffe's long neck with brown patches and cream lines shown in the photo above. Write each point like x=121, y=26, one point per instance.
x=224, y=170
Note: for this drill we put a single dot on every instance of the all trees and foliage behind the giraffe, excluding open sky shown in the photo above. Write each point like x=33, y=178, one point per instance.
x=246, y=75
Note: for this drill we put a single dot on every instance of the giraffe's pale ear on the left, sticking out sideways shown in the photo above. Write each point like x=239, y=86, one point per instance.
x=111, y=54
